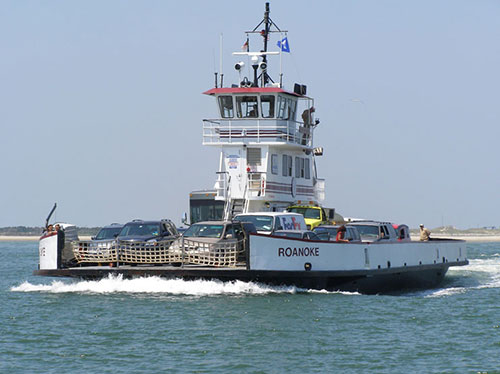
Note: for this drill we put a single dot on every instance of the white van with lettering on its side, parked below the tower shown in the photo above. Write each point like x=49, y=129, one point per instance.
x=269, y=222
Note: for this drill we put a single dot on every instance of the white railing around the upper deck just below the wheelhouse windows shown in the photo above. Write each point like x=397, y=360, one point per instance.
x=228, y=131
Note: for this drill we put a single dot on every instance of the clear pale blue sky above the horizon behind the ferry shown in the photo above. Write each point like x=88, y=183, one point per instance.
x=101, y=105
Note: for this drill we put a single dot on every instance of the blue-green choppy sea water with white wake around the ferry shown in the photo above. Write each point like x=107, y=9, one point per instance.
x=152, y=325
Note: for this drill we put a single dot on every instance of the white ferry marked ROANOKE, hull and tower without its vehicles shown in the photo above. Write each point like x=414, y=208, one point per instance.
x=267, y=163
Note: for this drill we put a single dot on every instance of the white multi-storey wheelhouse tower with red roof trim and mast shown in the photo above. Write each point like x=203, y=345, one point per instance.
x=266, y=137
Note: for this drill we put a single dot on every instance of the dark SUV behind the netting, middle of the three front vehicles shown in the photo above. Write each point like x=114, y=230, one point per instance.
x=147, y=231
